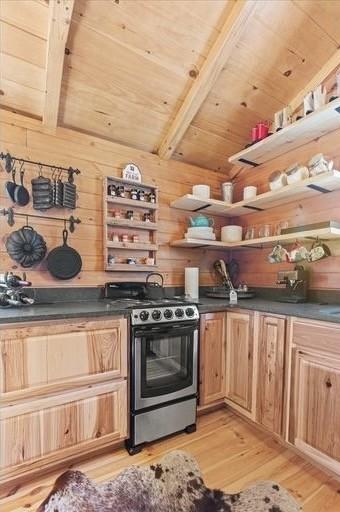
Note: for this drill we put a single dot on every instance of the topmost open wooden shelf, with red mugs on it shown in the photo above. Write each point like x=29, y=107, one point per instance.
x=311, y=127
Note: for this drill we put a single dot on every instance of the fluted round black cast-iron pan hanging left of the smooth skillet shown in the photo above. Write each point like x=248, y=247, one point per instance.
x=26, y=246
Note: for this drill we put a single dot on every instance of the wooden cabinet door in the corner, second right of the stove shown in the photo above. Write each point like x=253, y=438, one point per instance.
x=239, y=359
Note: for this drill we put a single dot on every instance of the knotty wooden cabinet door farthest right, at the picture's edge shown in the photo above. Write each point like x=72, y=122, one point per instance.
x=315, y=427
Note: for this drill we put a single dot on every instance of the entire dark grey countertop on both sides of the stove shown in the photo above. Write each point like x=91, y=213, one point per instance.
x=97, y=308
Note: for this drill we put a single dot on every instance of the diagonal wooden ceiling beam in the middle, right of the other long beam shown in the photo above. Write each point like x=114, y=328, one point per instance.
x=228, y=37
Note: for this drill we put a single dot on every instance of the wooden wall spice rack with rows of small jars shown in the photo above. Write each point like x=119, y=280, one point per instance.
x=122, y=250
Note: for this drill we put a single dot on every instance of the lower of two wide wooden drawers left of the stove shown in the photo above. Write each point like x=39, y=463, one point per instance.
x=62, y=425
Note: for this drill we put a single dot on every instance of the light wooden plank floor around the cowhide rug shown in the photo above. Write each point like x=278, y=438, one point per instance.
x=232, y=455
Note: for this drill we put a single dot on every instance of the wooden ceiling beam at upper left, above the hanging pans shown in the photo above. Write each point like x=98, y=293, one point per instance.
x=60, y=14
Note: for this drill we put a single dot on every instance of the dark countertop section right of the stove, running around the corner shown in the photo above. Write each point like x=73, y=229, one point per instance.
x=307, y=310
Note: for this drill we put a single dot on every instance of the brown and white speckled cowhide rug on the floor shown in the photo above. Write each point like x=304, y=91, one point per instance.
x=175, y=484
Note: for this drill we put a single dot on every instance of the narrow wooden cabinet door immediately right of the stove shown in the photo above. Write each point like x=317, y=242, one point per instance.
x=212, y=357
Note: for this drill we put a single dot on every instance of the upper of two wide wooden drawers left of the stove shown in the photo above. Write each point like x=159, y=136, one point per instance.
x=36, y=358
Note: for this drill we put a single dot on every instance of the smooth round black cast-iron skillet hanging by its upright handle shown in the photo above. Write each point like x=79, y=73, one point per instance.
x=64, y=262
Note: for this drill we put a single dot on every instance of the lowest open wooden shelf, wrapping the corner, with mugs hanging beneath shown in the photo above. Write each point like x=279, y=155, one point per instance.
x=310, y=235
